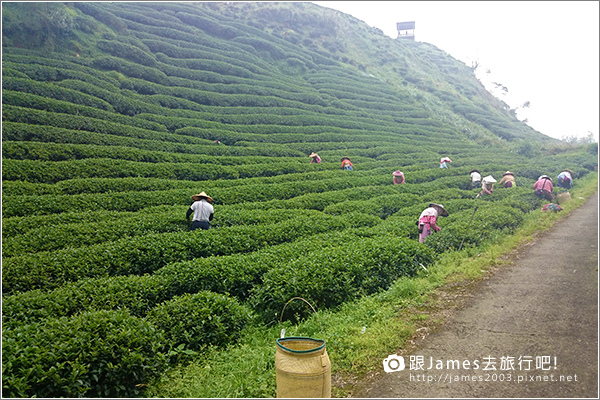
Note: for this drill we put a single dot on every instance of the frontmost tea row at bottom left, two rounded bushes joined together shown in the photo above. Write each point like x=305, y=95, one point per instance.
x=110, y=353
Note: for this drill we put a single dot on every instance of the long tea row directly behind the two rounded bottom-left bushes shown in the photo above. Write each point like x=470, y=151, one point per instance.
x=234, y=274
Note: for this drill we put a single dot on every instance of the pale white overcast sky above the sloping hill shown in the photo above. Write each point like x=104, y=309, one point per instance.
x=544, y=52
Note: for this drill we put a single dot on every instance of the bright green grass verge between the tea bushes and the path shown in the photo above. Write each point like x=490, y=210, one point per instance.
x=360, y=334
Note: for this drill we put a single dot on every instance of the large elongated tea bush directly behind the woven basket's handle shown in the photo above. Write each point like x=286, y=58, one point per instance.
x=328, y=279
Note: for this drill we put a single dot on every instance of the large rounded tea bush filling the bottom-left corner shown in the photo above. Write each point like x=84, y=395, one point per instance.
x=95, y=354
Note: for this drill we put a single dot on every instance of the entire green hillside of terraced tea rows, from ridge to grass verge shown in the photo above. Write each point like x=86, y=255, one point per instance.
x=115, y=114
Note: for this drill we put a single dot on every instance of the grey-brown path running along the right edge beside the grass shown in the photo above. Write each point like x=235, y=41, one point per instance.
x=543, y=308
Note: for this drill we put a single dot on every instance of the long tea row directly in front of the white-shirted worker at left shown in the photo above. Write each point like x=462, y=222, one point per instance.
x=139, y=255
